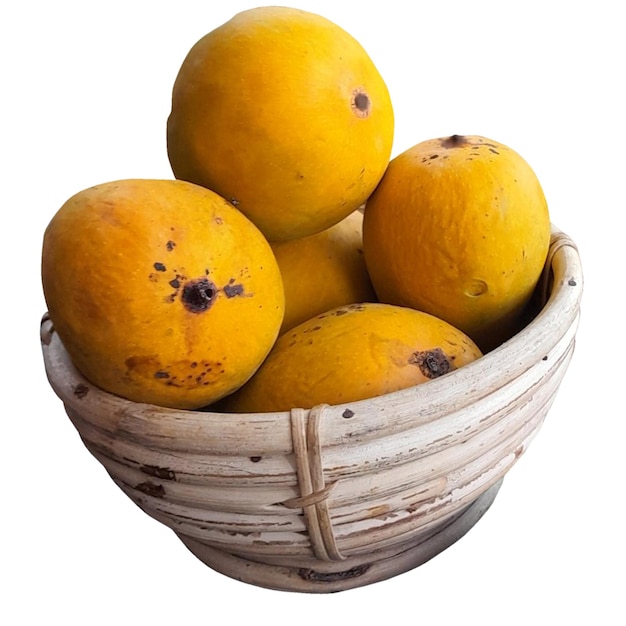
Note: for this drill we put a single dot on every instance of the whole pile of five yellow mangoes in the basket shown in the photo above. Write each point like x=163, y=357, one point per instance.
x=290, y=261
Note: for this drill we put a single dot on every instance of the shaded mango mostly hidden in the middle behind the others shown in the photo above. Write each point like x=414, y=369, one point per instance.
x=323, y=271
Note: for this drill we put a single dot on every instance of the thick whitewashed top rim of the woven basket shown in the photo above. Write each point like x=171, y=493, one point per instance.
x=224, y=433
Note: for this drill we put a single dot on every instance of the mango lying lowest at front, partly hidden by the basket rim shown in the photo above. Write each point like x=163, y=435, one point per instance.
x=352, y=353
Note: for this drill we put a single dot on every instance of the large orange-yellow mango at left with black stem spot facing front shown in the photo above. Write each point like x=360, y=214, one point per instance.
x=161, y=291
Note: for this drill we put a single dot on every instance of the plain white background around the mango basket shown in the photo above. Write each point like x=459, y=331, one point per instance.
x=85, y=96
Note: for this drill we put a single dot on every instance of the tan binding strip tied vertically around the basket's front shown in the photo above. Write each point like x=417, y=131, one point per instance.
x=313, y=491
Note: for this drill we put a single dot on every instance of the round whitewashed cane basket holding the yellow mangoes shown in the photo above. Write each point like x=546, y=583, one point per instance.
x=339, y=496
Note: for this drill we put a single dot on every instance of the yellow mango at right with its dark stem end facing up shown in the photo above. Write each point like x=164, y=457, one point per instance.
x=459, y=228
